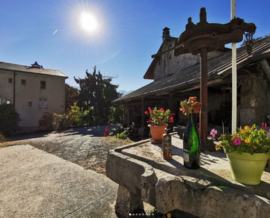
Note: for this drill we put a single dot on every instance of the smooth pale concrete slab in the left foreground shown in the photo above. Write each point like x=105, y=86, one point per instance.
x=35, y=183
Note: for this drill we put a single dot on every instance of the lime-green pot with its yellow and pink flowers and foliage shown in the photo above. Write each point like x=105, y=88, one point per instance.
x=247, y=151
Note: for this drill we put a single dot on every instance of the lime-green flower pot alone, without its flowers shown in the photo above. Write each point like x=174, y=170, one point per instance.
x=247, y=168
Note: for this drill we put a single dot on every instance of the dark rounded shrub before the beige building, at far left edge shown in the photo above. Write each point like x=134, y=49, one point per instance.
x=9, y=118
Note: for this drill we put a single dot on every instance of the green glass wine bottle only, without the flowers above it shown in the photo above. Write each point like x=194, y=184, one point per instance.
x=191, y=146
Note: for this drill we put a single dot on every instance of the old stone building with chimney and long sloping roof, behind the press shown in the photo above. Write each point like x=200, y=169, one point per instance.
x=175, y=78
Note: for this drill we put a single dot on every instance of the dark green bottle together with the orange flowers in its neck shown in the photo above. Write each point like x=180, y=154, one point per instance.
x=191, y=142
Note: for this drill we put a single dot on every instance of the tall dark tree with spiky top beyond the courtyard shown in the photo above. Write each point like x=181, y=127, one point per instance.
x=97, y=93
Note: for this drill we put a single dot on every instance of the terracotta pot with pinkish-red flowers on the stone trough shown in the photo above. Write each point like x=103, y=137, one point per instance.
x=158, y=122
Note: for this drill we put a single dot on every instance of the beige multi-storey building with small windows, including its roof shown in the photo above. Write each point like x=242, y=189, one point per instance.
x=33, y=90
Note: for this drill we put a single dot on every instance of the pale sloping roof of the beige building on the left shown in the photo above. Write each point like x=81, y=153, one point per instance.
x=28, y=69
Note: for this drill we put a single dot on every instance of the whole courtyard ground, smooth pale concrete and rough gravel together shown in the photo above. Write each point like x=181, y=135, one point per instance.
x=55, y=174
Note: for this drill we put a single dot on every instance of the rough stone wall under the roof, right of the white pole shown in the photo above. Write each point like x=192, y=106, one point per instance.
x=255, y=104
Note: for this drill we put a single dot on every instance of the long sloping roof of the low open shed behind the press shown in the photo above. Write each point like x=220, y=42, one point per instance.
x=217, y=66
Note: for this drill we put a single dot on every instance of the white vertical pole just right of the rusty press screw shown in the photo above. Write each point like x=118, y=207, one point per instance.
x=234, y=76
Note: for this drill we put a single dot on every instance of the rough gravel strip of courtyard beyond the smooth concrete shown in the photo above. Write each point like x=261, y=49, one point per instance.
x=85, y=146
